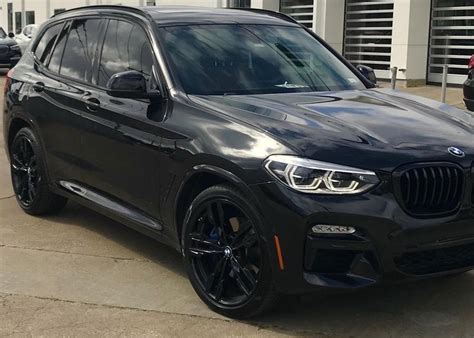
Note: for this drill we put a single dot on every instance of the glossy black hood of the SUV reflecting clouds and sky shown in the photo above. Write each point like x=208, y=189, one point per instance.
x=371, y=129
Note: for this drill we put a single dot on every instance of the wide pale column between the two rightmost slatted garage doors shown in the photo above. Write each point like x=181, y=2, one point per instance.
x=410, y=40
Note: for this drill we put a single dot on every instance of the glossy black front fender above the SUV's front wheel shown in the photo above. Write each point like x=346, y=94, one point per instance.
x=200, y=140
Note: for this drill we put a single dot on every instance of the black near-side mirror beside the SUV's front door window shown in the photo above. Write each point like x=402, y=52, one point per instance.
x=130, y=85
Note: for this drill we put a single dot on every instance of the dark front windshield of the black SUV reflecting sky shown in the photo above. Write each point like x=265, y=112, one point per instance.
x=253, y=59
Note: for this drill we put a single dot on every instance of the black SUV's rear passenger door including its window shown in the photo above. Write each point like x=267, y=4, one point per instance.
x=56, y=92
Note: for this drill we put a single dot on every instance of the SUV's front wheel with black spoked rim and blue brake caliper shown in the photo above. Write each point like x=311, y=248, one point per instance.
x=244, y=236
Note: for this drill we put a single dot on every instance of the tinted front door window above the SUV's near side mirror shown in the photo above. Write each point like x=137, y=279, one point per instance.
x=126, y=47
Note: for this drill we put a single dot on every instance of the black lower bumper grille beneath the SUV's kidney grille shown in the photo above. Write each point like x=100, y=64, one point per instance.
x=437, y=260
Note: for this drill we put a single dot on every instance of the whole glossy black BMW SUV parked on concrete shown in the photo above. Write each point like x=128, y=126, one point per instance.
x=245, y=142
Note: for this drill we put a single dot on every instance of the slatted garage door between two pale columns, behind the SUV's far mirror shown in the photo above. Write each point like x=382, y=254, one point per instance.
x=368, y=34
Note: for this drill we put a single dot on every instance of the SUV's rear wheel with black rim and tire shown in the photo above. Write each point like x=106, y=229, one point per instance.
x=29, y=176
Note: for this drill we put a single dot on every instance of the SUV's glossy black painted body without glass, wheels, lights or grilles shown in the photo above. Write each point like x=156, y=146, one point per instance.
x=140, y=160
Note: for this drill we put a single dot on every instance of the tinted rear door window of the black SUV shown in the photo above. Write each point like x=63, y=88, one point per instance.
x=80, y=49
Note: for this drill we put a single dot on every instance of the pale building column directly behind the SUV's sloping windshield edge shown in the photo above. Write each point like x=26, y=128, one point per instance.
x=329, y=22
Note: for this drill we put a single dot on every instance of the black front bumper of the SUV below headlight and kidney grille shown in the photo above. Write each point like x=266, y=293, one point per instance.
x=388, y=244
